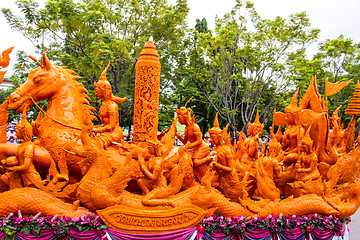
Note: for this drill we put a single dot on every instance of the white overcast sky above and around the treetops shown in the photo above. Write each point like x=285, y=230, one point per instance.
x=332, y=17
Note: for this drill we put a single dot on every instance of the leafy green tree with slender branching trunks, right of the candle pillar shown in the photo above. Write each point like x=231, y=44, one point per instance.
x=244, y=62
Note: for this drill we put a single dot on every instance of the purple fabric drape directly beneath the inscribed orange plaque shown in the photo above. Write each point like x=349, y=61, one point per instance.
x=180, y=235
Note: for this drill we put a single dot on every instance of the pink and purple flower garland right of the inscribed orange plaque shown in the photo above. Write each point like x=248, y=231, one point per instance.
x=278, y=224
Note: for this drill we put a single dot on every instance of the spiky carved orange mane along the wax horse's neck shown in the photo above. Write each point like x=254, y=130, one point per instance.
x=83, y=98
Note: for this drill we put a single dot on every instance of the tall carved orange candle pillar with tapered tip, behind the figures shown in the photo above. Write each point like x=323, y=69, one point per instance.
x=147, y=87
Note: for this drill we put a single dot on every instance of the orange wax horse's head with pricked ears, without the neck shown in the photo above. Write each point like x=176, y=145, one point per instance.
x=41, y=84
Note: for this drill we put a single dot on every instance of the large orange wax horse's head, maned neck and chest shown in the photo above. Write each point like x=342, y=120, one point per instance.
x=60, y=126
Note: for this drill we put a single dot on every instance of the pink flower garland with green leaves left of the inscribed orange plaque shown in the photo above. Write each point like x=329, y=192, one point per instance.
x=11, y=224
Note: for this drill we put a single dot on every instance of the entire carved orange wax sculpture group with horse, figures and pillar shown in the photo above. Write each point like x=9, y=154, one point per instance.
x=149, y=185
